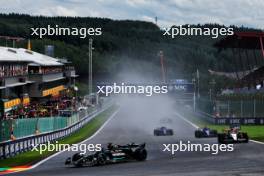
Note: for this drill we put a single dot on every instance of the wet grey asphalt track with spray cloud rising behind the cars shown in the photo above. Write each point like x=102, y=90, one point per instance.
x=135, y=123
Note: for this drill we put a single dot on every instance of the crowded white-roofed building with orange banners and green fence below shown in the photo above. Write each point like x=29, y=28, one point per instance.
x=33, y=86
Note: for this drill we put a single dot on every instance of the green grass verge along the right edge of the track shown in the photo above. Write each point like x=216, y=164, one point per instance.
x=255, y=132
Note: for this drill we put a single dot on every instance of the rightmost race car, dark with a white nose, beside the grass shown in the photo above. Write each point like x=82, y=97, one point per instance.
x=233, y=135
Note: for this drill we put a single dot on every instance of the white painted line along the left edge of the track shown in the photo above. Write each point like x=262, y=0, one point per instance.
x=55, y=154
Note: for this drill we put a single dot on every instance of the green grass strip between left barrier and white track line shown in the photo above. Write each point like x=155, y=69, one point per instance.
x=30, y=157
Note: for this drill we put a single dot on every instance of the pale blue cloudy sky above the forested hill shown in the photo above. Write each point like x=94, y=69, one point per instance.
x=238, y=12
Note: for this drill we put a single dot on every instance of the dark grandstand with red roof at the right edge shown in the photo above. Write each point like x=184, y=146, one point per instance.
x=248, y=53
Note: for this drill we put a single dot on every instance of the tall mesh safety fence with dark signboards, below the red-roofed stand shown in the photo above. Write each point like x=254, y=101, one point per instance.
x=224, y=112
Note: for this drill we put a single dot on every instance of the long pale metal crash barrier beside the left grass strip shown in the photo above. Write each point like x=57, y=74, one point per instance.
x=13, y=147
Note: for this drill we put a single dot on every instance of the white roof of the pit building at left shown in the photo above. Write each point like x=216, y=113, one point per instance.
x=23, y=55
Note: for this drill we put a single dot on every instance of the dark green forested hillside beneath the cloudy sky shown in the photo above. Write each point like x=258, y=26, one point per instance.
x=124, y=45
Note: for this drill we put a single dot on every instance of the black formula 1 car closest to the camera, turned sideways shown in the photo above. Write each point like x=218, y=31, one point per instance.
x=112, y=154
